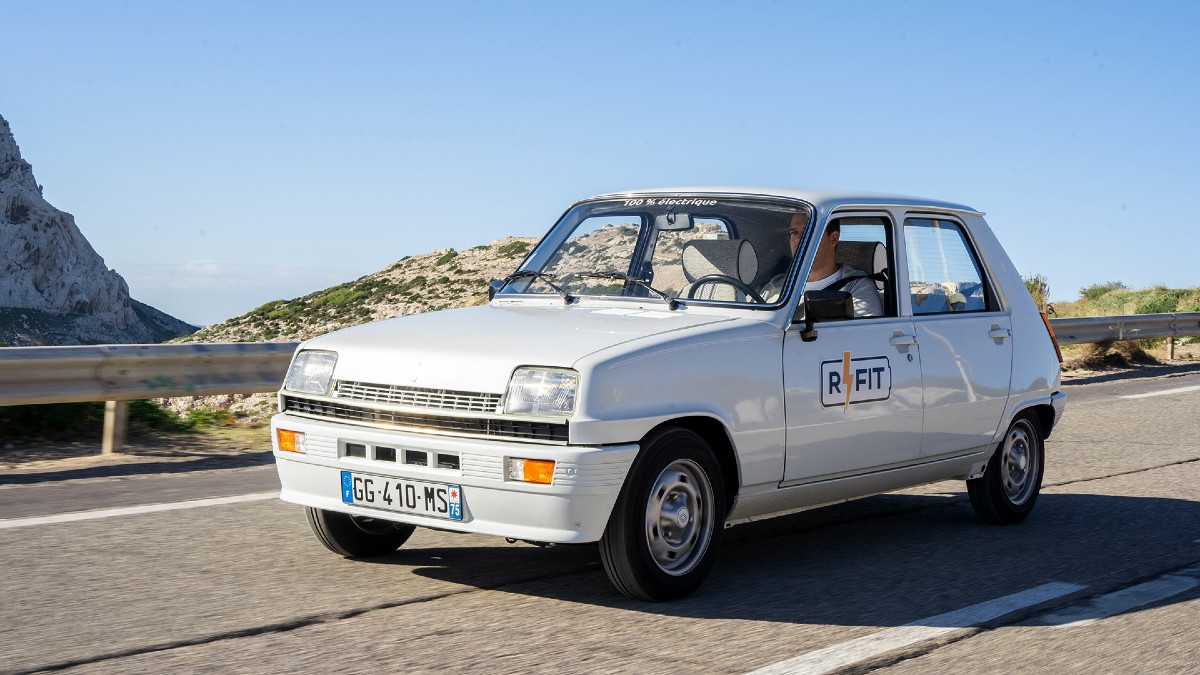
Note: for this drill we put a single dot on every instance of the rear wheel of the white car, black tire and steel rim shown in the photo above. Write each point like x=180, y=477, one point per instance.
x=1010, y=487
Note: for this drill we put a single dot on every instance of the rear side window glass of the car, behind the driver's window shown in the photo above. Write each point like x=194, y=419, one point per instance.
x=945, y=276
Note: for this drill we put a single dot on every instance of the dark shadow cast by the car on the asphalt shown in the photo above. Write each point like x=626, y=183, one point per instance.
x=883, y=561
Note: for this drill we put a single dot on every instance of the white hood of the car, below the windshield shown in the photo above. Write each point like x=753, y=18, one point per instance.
x=476, y=349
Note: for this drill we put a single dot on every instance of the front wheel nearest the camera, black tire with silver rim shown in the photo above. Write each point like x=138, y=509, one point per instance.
x=667, y=528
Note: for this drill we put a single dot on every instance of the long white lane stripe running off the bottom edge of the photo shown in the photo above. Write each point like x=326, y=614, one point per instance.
x=869, y=647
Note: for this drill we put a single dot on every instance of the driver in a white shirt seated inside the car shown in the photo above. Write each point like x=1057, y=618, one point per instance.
x=827, y=272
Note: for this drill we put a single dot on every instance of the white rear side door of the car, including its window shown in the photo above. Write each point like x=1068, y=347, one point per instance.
x=965, y=339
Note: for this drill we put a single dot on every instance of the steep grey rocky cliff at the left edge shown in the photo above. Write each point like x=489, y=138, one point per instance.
x=55, y=289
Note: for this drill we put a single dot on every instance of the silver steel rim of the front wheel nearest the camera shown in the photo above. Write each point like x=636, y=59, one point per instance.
x=680, y=517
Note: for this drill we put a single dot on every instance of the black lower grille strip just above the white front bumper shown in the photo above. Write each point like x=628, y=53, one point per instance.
x=471, y=426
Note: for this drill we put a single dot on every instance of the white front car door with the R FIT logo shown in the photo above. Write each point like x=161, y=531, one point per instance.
x=853, y=397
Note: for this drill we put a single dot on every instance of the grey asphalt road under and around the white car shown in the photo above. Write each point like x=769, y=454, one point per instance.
x=1103, y=578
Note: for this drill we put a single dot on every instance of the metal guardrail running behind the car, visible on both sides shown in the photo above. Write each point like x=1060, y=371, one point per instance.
x=118, y=374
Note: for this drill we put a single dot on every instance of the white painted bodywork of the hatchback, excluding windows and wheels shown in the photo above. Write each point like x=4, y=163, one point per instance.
x=742, y=374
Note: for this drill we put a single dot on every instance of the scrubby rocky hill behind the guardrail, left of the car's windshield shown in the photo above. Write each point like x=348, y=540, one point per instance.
x=439, y=280
